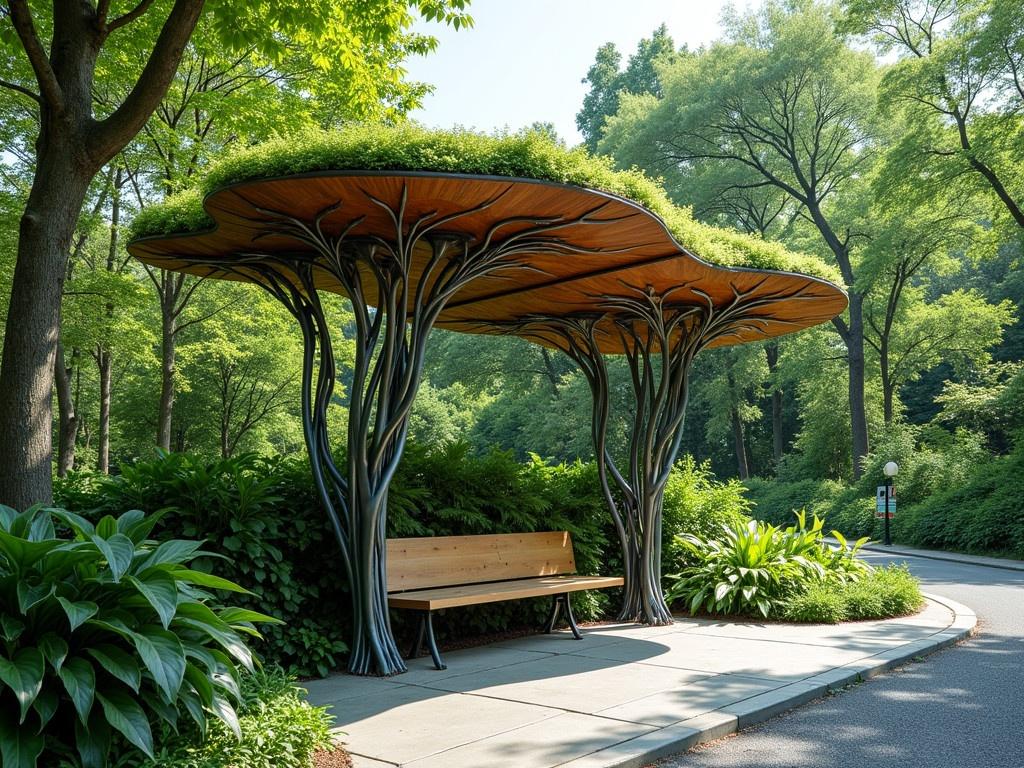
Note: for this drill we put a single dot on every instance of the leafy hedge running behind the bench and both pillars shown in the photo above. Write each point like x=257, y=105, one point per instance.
x=265, y=516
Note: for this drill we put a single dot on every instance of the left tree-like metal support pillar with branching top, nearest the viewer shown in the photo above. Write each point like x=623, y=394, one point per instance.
x=396, y=300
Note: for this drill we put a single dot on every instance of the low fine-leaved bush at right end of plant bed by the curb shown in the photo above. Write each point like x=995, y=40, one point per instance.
x=883, y=593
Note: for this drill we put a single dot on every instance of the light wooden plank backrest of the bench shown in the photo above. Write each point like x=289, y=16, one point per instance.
x=451, y=561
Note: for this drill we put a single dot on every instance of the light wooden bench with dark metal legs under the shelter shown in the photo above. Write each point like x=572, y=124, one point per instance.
x=434, y=573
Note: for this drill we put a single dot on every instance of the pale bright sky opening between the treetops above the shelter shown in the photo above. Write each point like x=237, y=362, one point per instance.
x=524, y=60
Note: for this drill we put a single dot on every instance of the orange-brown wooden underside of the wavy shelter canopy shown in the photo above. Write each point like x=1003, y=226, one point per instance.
x=609, y=246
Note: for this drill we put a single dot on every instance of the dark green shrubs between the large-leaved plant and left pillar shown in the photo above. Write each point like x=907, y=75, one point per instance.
x=266, y=520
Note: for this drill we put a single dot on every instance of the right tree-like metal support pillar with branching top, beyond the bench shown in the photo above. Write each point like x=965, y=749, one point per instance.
x=660, y=337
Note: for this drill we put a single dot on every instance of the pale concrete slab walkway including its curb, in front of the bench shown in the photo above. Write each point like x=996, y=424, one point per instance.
x=623, y=697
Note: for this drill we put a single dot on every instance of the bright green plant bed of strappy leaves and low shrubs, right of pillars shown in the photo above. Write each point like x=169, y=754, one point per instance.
x=757, y=569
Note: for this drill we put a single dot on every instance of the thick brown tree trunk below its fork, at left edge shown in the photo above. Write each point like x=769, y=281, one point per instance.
x=33, y=327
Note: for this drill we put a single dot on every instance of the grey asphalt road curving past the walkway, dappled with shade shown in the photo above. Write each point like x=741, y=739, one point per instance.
x=960, y=708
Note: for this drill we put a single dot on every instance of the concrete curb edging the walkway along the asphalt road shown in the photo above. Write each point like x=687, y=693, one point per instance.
x=687, y=735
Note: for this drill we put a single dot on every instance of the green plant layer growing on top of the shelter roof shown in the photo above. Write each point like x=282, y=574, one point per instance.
x=527, y=155
